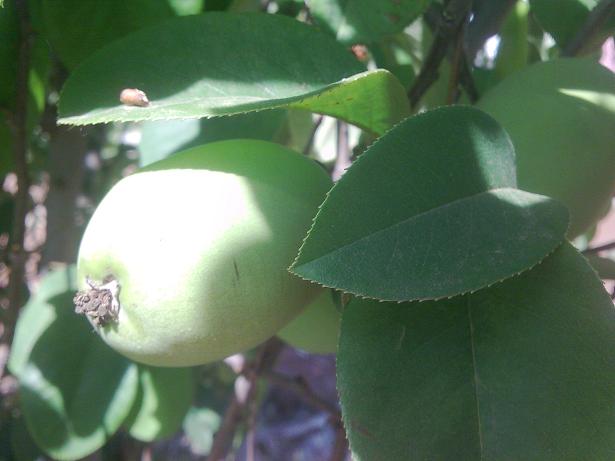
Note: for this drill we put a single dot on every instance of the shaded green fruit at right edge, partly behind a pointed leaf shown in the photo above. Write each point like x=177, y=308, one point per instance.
x=560, y=115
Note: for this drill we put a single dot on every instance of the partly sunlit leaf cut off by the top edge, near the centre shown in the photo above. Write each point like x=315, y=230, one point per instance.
x=365, y=21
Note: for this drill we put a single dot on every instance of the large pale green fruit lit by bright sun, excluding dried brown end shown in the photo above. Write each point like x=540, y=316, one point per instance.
x=200, y=244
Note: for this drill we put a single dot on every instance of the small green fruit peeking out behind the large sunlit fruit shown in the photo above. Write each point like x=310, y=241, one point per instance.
x=316, y=329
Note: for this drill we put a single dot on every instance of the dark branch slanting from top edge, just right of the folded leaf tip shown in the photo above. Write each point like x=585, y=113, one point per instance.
x=452, y=18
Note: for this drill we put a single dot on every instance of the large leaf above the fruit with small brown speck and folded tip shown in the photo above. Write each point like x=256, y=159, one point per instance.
x=222, y=64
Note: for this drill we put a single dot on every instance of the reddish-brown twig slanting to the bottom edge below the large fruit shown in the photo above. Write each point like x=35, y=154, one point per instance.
x=235, y=412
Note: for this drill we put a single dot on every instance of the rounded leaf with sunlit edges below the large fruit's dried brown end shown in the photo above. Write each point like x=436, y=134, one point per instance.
x=74, y=390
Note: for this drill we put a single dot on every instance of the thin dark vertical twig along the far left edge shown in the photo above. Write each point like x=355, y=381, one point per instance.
x=18, y=256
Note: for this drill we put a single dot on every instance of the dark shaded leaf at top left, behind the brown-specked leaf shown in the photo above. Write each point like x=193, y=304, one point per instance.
x=75, y=29
